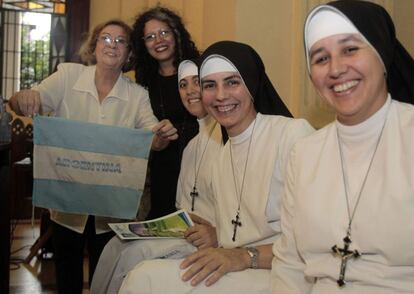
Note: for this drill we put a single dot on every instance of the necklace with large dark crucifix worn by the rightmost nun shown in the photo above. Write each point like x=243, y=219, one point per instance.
x=345, y=253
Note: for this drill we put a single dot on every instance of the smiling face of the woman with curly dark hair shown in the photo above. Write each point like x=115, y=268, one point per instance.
x=159, y=40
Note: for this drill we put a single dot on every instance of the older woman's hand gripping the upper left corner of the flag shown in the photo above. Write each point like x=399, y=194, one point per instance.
x=25, y=102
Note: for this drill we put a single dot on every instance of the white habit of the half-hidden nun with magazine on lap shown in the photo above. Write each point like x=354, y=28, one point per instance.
x=119, y=257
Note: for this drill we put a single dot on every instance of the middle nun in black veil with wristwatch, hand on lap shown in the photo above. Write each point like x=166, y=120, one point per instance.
x=247, y=181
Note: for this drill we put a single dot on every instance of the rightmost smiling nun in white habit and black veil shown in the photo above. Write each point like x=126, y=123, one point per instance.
x=348, y=210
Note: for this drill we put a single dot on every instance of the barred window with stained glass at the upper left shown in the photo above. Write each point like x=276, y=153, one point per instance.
x=33, y=42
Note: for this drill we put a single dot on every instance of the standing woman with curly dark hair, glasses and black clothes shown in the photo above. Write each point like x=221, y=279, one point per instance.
x=159, y=43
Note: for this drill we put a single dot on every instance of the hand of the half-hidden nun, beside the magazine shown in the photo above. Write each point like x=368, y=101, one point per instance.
x=202, y=234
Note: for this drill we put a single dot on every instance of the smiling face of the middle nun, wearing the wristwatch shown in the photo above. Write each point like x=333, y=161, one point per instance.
x=227, y=99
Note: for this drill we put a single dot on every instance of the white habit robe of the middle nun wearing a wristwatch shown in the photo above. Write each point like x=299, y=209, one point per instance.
x=273, y=137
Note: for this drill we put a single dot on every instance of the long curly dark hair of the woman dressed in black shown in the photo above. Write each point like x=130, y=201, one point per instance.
x=145, y=65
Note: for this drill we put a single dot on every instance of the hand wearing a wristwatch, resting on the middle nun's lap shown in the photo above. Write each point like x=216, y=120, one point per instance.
x=214, y=263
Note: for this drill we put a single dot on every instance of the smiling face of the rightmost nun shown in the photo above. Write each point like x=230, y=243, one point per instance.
x=349, y=75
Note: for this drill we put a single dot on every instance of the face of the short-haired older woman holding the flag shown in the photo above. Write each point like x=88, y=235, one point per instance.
x=112, y=55
